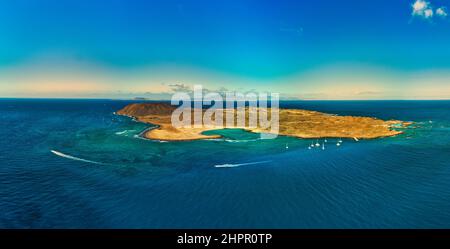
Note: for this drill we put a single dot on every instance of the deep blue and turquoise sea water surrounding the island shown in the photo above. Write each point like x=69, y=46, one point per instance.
x=104, y=175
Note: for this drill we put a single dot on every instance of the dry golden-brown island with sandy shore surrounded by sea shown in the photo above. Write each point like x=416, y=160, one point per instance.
x=292, y=122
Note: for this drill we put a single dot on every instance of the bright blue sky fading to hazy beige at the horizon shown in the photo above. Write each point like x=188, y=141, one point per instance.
x=321, y=49
